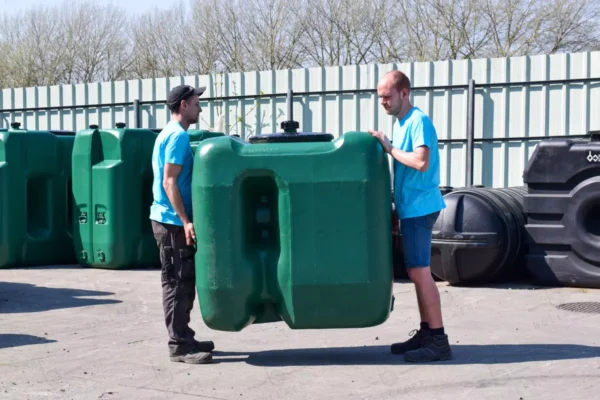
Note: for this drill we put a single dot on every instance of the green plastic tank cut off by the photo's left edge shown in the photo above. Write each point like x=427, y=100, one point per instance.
x=35, y=197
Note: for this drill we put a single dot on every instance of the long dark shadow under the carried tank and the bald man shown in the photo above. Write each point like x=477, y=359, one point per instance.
x=380, y=355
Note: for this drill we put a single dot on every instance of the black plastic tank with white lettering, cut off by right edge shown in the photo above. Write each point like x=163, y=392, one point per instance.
x=563, y=212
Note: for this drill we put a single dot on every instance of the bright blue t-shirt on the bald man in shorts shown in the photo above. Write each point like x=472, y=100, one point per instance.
x=416, y=193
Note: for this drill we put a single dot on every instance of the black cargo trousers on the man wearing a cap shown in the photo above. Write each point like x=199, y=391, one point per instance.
x=178, y=276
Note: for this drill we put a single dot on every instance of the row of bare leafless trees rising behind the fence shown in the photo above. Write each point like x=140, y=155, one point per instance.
x=83, y=41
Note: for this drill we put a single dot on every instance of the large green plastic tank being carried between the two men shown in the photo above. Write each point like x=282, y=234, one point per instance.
x=293, y=227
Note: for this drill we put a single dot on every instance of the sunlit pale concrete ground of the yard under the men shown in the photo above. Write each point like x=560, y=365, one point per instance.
x=74, y=333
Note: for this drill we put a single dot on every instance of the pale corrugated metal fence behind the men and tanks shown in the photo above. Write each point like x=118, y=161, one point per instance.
x=517, y=101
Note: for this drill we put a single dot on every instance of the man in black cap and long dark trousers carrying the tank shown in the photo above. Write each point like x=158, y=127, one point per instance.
x=171, y=215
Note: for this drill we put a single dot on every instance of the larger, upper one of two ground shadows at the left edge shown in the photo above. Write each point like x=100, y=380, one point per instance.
x=26, y=298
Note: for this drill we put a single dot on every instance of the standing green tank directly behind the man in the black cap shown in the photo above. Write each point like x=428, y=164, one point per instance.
x=112, y=188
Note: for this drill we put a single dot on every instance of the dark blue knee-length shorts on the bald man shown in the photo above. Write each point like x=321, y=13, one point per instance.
x=416, y=239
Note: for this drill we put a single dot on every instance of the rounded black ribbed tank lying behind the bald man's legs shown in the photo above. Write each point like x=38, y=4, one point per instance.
x=480, y=237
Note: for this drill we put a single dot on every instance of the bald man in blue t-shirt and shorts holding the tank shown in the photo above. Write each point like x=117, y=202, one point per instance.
x=418, y=203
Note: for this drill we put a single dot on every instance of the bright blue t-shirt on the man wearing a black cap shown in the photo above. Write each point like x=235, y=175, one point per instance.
x=172, y=146
